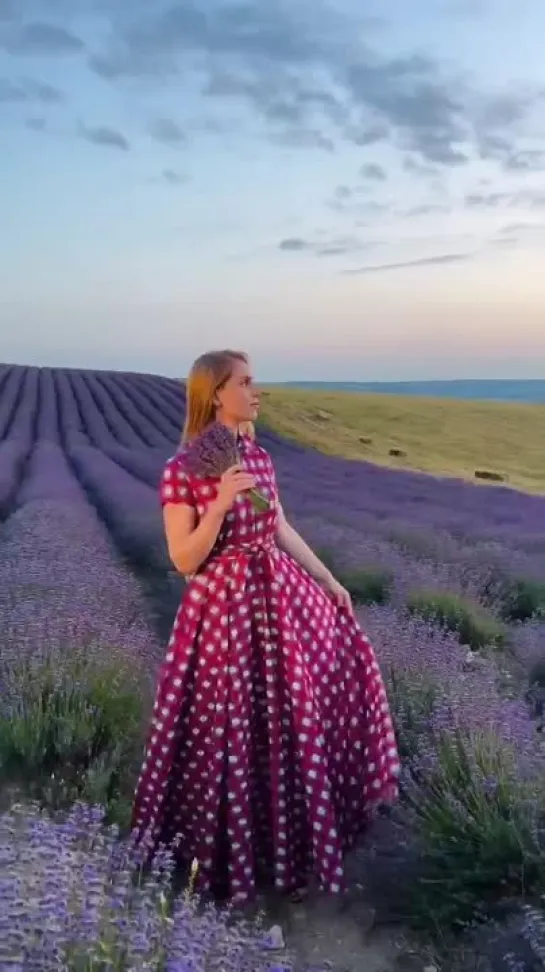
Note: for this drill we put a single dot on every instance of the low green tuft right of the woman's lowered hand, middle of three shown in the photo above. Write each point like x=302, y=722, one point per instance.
x=471, y=623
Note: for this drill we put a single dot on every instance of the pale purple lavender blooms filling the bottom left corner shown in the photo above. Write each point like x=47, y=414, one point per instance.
x=75, y=897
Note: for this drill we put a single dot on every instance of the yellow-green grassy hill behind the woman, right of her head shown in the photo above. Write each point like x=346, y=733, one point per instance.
x=435, y=435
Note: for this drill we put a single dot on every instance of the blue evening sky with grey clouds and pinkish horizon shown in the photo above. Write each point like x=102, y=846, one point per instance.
x=347, y=189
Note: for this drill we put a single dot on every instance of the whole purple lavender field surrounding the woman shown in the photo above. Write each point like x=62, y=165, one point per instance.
x=449, y=581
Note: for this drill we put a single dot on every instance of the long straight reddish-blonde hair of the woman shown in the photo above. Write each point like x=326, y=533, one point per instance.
x=208, y=374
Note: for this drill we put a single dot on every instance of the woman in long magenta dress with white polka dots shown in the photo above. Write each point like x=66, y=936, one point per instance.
x=271, y=739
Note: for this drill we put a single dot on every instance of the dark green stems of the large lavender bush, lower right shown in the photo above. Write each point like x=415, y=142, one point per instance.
x=478, y=827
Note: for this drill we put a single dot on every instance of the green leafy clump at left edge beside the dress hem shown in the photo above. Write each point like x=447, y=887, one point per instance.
x=72, y=731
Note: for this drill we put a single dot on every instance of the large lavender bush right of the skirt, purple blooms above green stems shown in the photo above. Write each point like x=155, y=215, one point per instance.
x=473, y=778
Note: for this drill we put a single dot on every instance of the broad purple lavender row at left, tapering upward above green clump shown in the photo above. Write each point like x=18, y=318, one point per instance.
x=61, y=584
